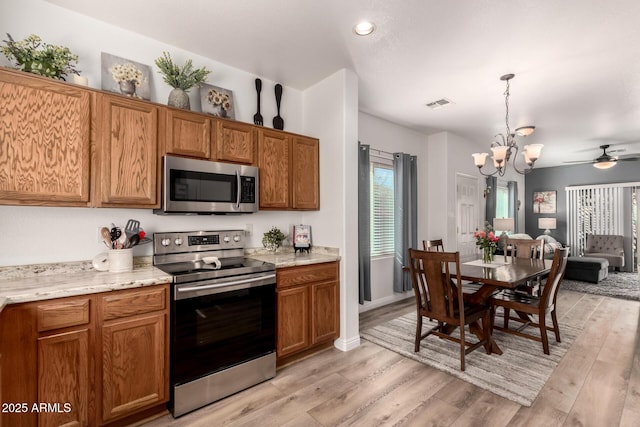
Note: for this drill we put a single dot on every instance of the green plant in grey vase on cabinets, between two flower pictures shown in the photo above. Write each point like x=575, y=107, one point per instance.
x=181, y=79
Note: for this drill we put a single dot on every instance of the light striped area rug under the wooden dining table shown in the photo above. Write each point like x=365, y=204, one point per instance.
x=518, y=374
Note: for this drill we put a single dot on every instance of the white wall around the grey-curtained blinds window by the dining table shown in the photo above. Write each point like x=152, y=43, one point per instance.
x=386, y=136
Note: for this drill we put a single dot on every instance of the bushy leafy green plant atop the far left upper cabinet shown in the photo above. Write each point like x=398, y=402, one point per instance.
x=34, y=56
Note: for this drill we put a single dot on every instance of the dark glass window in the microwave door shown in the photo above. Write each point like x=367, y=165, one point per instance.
x=188, y=186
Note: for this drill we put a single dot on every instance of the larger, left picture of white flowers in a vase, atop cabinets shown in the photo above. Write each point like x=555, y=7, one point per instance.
x=124, y=76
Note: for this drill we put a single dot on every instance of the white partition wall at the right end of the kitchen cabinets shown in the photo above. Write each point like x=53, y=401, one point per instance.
x=331, y=113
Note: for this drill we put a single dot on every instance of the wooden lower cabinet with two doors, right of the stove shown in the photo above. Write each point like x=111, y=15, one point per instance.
x=308, y=309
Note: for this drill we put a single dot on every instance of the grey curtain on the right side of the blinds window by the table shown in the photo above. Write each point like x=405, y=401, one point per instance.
x=405, y=182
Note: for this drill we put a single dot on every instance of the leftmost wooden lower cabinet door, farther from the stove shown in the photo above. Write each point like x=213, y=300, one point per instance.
x=63, y=379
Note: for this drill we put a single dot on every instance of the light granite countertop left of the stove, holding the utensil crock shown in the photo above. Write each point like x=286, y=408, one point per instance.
x=28, y=283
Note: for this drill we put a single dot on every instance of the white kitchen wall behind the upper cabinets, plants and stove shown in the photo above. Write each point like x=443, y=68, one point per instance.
x=40, y=235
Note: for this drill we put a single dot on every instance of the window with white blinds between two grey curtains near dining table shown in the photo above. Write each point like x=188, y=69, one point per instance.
x=381, y=209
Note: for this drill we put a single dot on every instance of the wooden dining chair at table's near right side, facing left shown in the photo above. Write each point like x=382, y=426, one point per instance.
x=528, y=306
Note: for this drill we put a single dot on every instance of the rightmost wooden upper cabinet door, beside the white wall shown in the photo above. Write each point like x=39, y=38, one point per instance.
x=305, y=180
